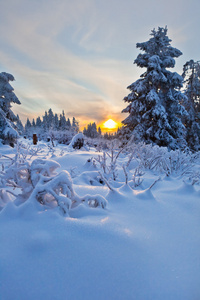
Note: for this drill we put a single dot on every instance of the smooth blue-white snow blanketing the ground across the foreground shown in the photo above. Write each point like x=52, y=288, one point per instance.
x=144, y=245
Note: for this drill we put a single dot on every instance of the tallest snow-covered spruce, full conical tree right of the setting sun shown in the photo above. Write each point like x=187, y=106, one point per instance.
x=155, y=113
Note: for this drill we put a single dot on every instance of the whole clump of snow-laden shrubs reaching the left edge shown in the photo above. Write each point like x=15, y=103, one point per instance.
x=38, y=181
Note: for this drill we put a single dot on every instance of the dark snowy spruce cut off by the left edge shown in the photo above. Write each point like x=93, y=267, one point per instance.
x=8, y=131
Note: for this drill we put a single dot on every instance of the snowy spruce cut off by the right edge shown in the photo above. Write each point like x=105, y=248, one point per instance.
x=191, y=76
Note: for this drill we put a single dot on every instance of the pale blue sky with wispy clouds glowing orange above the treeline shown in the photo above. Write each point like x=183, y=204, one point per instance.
x=78, y=55
